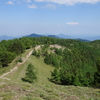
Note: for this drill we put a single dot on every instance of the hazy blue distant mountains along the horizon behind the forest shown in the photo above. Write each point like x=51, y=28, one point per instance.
x=60, y=36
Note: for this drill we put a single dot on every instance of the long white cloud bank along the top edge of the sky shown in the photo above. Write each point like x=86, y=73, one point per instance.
x=69, y=2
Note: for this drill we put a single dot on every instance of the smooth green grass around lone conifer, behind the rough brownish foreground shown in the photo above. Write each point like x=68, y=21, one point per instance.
x=43, y=71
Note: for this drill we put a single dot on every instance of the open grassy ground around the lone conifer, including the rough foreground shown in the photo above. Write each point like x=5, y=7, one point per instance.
x=16, y=89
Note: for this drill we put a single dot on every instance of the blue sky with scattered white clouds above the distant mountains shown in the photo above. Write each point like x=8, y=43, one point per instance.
x=71, y=17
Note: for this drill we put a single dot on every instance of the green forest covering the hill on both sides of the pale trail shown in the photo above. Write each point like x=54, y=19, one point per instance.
x=77, y=63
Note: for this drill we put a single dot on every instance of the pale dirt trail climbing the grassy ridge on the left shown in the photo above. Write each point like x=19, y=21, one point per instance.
x=16, y=67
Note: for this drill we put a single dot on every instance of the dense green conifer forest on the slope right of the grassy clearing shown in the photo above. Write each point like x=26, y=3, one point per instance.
x=78, y=64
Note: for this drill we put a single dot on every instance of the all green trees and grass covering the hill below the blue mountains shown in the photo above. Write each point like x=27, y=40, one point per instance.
x=65, y=69
